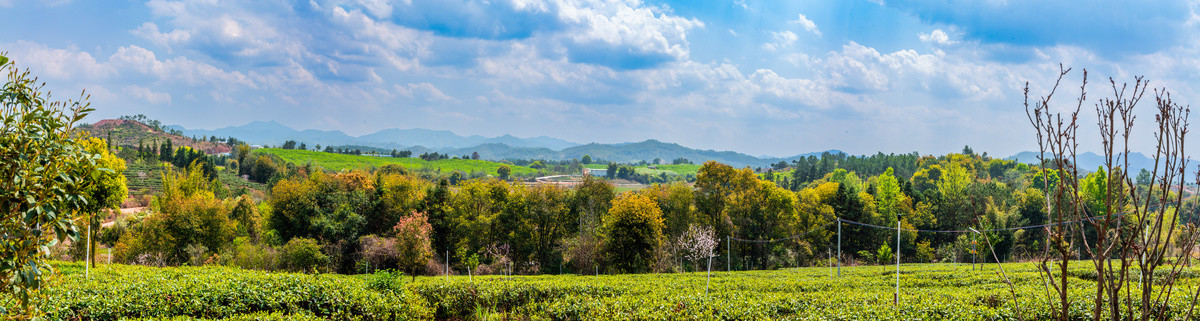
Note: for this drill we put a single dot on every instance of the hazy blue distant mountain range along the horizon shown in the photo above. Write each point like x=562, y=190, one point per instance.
x=499, y=148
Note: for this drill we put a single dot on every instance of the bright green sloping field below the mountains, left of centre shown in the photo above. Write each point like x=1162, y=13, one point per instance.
x=340, y=162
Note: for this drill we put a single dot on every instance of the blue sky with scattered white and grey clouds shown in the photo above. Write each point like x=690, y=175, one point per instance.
x=766, y=78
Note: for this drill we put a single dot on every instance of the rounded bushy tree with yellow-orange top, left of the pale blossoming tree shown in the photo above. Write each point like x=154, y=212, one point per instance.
x=634, y=231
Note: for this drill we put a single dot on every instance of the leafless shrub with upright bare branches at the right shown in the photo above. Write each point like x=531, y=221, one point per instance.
x=1129, y=239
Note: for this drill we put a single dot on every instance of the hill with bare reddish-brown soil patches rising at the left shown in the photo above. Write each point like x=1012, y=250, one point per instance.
x=131, y=134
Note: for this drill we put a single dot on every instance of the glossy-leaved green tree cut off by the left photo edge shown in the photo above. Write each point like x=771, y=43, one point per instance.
x=44, y=181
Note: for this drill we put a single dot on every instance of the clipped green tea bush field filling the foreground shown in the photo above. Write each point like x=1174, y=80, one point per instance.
x=929, y=292
